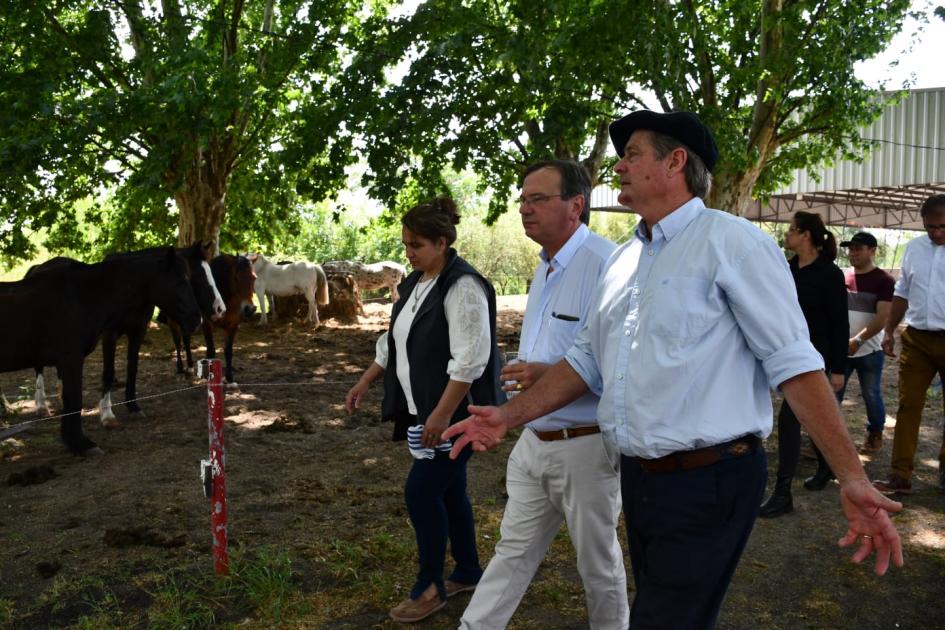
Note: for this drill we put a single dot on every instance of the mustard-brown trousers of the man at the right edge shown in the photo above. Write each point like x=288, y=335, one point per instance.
x=922, y=356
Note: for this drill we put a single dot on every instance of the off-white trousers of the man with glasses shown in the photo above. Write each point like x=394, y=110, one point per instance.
x=575, y=481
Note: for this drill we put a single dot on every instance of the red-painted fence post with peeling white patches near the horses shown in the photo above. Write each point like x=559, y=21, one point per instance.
x=221, y=561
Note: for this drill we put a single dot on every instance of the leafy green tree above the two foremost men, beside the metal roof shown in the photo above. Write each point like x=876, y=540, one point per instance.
x=495, y=86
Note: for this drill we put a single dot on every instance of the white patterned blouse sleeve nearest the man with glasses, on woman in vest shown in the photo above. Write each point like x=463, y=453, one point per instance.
x=467, y=314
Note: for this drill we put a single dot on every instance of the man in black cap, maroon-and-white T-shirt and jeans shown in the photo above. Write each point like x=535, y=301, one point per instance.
x=869, y=297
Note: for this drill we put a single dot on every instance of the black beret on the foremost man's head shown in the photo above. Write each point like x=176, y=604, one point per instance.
x=684, y=126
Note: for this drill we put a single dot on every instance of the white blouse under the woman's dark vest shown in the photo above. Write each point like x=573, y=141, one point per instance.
x=467, y=315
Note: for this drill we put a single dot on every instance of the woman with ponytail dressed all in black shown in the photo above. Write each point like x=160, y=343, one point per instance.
x=822, y=293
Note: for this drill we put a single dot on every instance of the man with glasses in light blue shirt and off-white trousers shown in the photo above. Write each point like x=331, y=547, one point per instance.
x=560, y=470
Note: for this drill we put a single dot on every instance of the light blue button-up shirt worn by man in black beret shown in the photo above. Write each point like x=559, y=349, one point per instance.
x=688, y=331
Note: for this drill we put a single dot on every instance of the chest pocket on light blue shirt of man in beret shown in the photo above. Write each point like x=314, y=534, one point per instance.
x=679, y=309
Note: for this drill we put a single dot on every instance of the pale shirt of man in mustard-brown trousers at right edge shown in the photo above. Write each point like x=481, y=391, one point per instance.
x=922, y=283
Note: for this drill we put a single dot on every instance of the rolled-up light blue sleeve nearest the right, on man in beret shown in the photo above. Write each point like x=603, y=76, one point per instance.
x=763, y=299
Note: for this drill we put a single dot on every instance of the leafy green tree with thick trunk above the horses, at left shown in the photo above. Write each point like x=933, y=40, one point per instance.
x=222, y=107
